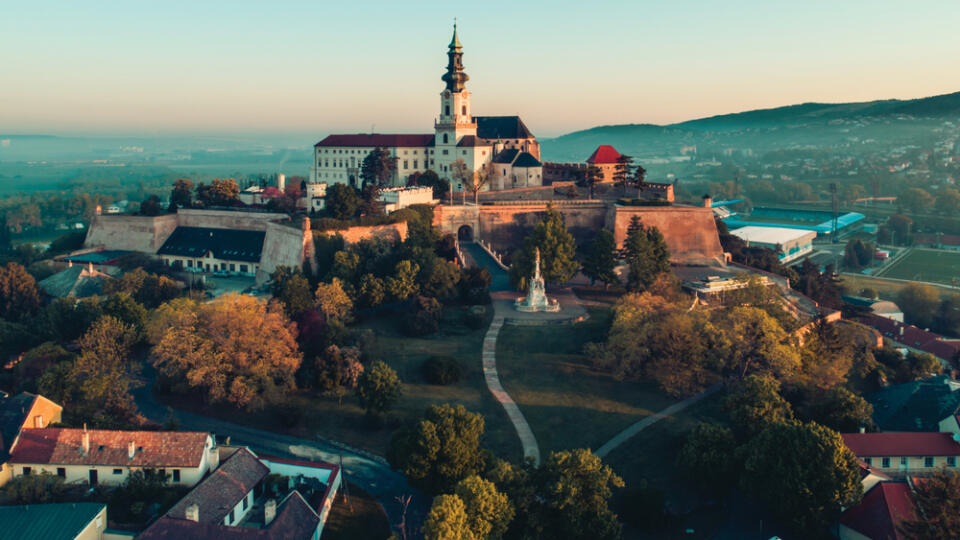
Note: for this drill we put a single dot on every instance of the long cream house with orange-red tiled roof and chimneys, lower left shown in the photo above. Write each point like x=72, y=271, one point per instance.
x=100, y=456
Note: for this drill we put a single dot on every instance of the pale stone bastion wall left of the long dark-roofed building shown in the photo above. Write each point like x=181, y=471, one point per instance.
x=132, y=233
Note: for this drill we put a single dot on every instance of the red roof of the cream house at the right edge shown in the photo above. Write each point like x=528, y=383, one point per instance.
x=892, y=444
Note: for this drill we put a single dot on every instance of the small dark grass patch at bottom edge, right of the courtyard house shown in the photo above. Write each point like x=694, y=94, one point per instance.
x=357, y=515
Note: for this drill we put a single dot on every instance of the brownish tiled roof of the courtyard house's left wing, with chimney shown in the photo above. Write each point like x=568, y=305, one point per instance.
x=218, y=493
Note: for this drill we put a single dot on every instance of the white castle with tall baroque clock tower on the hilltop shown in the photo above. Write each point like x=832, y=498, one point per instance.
x=500, y=146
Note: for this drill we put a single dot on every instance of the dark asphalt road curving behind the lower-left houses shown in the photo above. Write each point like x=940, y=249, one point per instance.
x=365, y=470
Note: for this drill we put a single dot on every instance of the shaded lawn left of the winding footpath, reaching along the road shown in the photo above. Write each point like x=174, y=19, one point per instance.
x=327, y=417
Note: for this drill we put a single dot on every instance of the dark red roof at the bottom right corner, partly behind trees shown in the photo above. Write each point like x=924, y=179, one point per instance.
x=881, y=511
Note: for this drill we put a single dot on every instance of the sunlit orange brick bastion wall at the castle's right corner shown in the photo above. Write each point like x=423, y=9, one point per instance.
x=690, y=231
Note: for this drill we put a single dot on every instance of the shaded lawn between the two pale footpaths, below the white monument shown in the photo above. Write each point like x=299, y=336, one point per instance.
x=567, y=403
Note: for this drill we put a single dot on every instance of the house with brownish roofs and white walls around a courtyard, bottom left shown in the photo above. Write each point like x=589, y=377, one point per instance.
x=236, y=501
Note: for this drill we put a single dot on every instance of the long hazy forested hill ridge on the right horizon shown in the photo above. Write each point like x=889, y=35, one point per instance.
x=762, y=129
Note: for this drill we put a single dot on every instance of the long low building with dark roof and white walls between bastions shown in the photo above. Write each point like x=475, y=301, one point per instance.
x=204, y=249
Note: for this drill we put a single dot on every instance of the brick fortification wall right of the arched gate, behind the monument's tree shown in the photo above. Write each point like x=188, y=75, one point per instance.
x=504, y=226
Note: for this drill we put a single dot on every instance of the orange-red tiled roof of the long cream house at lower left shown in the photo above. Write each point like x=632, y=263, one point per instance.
x=64, y=446
